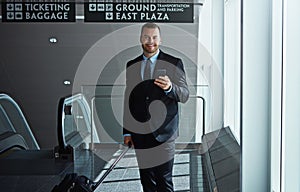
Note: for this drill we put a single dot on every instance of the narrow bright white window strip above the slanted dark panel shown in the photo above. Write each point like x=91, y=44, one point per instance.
x=232, y=66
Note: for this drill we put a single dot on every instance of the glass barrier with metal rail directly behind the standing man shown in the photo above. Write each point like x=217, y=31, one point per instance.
x=107, y=112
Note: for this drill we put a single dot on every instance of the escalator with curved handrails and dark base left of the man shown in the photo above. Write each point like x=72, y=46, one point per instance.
x=26, y=167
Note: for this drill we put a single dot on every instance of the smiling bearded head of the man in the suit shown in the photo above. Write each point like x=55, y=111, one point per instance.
x=150, y=40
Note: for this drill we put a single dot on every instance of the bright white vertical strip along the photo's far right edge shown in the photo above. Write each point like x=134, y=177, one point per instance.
x=291, y=95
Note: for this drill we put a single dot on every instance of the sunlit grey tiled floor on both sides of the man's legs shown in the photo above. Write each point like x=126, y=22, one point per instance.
x=187, y=174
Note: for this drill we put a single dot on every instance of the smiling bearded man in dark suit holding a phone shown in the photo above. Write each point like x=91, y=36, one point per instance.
x=155, y=83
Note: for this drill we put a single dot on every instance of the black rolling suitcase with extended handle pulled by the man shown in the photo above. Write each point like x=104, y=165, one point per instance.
x=74, y=183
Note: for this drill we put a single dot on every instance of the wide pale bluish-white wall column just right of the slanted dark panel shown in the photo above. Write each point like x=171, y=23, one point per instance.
x=256, y=63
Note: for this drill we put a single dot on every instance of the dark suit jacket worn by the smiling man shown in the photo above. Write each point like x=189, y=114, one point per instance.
x=147, y=108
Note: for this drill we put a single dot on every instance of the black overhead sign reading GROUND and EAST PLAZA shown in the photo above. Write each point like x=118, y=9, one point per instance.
x=95, y=11
